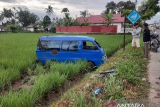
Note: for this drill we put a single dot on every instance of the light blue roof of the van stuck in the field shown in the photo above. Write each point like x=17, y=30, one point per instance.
x=61, y=37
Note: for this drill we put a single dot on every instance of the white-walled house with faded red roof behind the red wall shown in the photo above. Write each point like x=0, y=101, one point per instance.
x=98, y=20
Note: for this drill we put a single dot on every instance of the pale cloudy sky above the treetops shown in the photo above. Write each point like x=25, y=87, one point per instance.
x=74, y=6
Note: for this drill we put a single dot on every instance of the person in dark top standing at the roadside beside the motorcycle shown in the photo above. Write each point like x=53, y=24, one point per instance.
x=146, y=39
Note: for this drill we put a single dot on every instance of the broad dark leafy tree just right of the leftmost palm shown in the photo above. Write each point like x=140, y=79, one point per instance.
x=26, y=18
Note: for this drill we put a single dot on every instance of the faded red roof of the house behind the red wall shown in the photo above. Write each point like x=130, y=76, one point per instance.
x=99, y=19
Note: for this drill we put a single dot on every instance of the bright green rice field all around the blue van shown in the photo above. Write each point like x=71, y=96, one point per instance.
x=18, y=56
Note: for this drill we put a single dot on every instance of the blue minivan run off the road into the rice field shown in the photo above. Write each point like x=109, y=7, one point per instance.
x=70, y=48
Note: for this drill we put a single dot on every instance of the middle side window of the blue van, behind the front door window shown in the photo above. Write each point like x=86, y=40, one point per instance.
x=69, y=46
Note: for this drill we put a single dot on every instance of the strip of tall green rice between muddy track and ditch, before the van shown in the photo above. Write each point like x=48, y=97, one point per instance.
x=43, y=83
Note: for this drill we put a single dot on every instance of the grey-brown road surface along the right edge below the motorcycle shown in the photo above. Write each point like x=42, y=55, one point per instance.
x=154, y=79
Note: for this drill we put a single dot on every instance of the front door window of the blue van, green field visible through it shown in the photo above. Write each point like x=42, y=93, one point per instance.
x=87, y=45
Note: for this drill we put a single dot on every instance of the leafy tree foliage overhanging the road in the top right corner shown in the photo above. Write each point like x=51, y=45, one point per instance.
x=149, y=8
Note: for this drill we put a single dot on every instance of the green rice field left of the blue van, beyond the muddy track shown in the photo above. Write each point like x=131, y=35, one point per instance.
x=16, y=54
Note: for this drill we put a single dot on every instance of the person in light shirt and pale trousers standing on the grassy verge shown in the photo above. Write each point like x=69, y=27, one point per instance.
x=136, y=34
